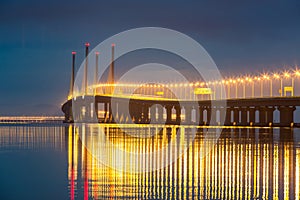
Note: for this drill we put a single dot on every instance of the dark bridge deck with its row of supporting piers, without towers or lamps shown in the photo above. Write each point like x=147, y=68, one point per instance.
x=243, y=112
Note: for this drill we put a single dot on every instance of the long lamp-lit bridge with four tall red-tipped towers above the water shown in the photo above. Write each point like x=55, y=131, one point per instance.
x=266, y=99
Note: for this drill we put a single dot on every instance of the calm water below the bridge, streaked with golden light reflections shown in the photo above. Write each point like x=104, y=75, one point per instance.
x=56, y=161
